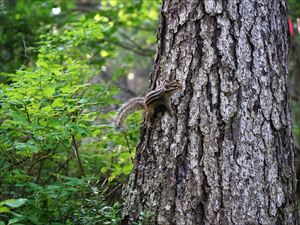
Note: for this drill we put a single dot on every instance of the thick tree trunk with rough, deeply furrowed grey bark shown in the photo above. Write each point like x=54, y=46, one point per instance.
x=227, y=155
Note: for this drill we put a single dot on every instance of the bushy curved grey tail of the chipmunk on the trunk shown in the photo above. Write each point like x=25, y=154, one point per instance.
x=130, y=106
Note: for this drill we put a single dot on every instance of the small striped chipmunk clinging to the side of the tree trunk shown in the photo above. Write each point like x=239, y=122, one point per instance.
x=160, y=96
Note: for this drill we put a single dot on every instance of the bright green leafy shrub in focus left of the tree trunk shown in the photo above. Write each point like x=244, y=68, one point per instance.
x=53, y=130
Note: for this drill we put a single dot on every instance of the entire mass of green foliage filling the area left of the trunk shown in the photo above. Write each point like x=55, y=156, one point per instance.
x=61, y=160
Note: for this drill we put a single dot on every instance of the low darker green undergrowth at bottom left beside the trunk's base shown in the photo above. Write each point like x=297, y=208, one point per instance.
x=71, y=200
